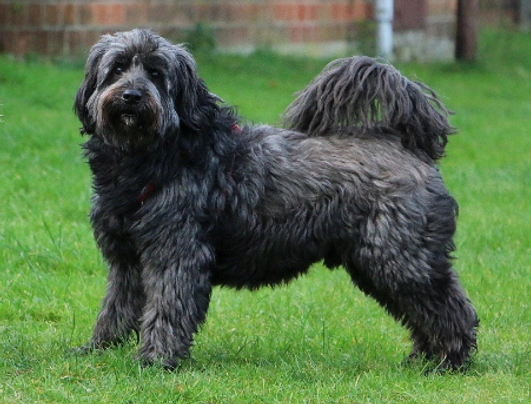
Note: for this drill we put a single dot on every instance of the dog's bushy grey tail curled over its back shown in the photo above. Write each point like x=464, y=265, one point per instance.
x=364, y=93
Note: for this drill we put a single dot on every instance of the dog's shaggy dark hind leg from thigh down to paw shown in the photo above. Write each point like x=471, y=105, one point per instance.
x=412, y=277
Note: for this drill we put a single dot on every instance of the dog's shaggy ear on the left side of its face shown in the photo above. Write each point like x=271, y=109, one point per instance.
x=89, y=86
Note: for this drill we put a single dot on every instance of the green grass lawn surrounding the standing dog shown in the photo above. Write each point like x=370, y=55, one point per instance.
x=316, y=340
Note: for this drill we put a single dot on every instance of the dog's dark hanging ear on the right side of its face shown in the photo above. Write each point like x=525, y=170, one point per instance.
x=195, y=105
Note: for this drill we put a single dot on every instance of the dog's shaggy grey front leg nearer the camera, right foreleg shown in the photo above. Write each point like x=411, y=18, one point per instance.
x=177, y=284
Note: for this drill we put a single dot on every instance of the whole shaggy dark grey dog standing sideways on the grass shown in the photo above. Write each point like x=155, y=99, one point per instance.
x=185, y=198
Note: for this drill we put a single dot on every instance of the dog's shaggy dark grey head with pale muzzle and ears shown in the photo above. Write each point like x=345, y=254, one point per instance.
x=139, y=87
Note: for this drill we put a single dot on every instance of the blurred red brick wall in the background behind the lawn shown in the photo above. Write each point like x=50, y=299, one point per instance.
x=66, y=27
